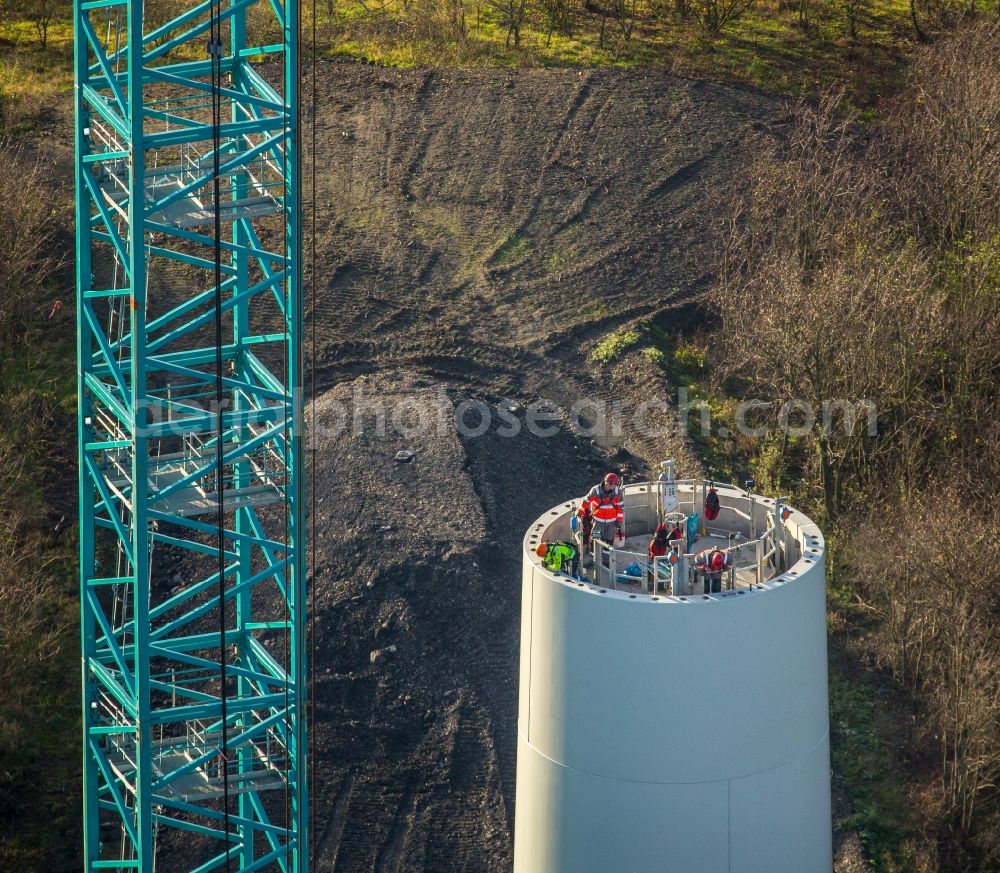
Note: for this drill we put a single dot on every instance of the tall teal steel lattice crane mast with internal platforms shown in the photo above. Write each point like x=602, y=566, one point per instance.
x=193, y=590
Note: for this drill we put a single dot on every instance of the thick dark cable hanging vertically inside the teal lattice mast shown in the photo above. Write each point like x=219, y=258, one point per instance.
x=215, y=50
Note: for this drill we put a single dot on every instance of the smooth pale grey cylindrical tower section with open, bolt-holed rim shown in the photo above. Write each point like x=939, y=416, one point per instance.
x=690, y=733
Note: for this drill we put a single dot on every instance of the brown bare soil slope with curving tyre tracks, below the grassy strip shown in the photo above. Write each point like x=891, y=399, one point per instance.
x=474, y=223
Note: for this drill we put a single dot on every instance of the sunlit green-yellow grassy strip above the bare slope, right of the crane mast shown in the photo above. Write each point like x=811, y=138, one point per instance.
x=771, y=43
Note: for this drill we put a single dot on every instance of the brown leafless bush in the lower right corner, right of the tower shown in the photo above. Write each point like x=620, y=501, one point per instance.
x=932, y=578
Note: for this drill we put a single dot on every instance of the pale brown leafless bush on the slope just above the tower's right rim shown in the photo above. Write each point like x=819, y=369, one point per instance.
x=822, y=301
